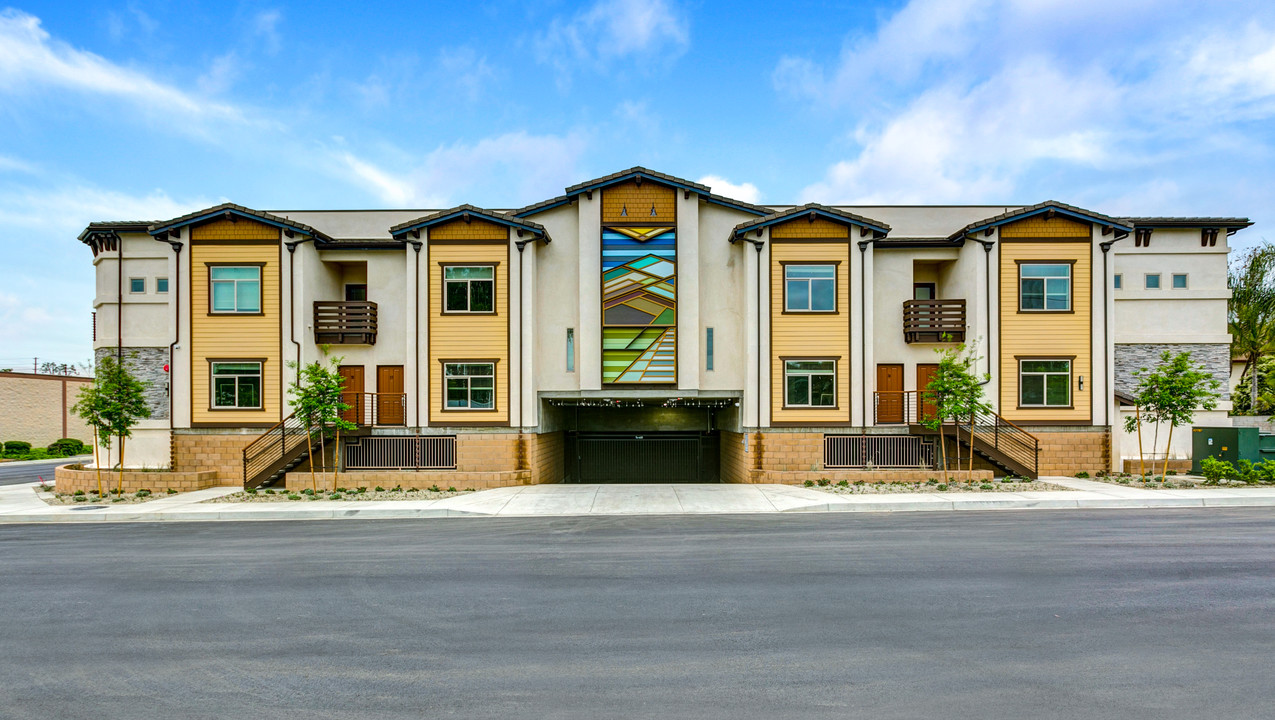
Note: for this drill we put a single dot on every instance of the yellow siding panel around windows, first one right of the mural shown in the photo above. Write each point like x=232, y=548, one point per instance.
x=810, y=336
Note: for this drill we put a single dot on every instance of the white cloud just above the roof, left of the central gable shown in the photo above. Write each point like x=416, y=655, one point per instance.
x=512, y=169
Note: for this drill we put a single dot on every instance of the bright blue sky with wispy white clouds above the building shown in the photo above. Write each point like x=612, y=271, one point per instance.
x=146, y=110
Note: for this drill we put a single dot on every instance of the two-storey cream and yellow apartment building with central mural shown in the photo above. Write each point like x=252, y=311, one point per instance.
x=641, y=328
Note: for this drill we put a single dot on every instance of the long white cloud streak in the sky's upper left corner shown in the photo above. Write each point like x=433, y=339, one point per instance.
x=33, y=62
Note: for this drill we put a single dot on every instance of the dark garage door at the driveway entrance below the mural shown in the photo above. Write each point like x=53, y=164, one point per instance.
x=645, y=458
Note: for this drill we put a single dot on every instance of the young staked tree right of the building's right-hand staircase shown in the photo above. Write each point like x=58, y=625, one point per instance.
x=1171, y=393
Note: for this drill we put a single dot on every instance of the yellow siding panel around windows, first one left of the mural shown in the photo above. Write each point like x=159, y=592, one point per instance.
x=469, y=337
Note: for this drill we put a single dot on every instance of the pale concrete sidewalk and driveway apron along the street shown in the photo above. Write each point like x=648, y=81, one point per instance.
x=20, y=504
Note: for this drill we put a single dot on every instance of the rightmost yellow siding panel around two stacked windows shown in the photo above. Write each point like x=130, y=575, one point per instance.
x=1046, y=335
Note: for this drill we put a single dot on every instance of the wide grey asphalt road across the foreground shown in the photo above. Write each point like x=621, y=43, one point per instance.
x=1002, y=615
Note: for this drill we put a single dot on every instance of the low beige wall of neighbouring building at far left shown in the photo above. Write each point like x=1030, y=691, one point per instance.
x=36, y=408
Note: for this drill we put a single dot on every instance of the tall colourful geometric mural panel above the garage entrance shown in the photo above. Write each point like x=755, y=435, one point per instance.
x=639, y=305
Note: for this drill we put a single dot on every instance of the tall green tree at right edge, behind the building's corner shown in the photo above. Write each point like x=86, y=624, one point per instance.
x=1251, y=312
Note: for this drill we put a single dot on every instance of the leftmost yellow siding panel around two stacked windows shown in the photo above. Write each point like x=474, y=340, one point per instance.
x=235, y=337
